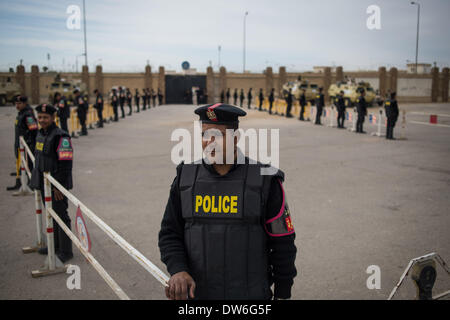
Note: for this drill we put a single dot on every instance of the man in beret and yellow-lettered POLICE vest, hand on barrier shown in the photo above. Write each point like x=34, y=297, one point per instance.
x=227, y=232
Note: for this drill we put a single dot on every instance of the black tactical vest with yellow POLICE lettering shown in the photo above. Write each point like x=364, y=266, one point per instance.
x=224, y=235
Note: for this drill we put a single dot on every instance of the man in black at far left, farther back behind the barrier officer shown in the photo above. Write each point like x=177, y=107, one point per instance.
x=26, y=126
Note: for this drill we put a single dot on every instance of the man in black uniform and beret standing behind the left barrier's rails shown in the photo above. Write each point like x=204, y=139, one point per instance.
x=54, y=154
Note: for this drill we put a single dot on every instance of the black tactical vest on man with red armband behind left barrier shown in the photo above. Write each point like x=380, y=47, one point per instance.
x=45, y=156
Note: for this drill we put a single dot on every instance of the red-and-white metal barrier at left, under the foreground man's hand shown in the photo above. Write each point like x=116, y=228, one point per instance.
x=53, y=265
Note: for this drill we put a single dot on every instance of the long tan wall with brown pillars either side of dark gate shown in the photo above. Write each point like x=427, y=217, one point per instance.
x=434, y=87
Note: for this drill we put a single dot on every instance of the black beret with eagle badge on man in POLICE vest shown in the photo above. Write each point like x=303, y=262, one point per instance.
x=220, y=113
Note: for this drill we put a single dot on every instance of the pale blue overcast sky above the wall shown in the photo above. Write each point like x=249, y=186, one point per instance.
x=298, y=34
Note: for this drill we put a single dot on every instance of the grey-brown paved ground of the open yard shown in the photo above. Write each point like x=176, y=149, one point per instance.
x=356, y=201
